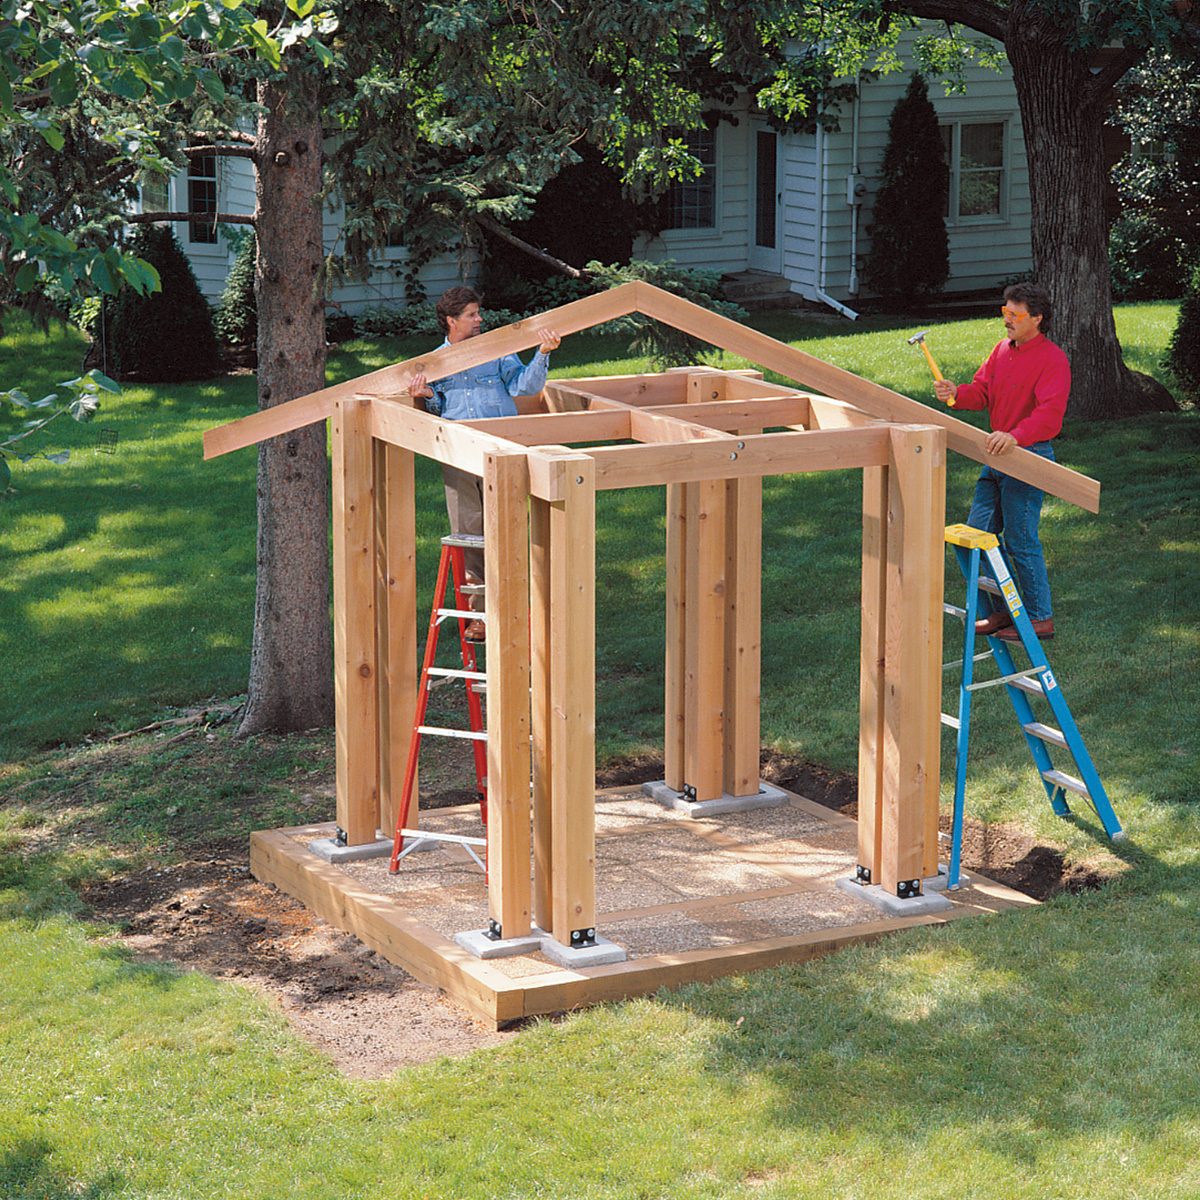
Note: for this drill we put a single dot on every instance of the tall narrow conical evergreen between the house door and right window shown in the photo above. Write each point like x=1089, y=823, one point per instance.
x=910, y=256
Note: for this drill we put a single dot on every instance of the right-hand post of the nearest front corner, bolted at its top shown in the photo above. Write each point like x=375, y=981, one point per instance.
x=573, y=699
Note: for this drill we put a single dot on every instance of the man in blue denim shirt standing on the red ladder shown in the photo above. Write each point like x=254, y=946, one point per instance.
x=470, y=395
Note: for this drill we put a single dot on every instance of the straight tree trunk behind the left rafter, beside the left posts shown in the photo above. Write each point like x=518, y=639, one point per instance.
x=291, y=667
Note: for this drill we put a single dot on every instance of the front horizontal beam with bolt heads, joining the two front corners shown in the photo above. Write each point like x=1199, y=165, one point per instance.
x=763, y=454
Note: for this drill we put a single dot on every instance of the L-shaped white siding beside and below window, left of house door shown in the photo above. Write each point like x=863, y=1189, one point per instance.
x=724, y=248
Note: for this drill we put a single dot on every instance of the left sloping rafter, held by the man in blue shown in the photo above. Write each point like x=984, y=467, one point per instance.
x=521, y=335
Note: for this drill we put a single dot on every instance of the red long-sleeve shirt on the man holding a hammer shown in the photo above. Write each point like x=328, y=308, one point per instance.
x=1024, y=388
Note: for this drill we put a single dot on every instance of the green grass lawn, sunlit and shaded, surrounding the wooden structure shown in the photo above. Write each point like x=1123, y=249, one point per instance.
x=1037, y=1054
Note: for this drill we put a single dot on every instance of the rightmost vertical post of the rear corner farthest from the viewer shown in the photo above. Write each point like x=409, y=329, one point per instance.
x=743, y=626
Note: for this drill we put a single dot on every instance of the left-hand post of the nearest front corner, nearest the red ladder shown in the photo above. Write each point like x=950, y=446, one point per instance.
x=507, y=599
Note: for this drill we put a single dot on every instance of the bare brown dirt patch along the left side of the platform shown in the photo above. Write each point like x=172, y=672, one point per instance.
x=211, y=915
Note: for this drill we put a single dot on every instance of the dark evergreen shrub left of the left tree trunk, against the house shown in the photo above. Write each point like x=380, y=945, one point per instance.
x=167, y=337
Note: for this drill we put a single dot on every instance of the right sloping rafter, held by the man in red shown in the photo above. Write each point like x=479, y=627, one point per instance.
x=877, y=400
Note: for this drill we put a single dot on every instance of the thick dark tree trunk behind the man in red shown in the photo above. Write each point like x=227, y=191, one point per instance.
x=1064, y=113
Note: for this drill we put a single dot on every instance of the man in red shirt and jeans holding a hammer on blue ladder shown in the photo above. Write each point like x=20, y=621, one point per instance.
x=1024, y=385
